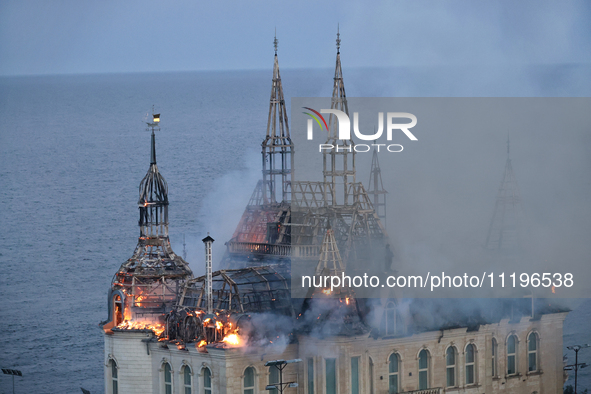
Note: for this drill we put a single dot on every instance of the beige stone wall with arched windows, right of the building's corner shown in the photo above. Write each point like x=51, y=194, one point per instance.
x=548, y=378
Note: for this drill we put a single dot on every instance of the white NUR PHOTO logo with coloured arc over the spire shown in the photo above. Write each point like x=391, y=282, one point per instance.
x=345, y=130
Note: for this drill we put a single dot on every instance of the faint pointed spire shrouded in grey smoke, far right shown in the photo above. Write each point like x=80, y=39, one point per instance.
x=504, y=226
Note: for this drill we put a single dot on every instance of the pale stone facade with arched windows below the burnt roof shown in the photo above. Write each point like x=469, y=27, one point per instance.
x=140, y=362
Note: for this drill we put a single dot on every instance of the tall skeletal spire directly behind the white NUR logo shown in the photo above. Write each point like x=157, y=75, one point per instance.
x=339, y=162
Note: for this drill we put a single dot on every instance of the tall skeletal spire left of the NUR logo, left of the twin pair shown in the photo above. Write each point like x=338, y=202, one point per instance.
x=277, y=148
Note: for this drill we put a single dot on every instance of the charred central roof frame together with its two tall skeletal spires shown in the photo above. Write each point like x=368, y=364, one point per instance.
x=281, y=230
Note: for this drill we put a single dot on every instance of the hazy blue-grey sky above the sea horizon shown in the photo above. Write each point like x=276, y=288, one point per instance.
x=72, y=36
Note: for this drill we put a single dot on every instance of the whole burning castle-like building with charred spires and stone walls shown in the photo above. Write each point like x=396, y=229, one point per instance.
x=171, y=332
